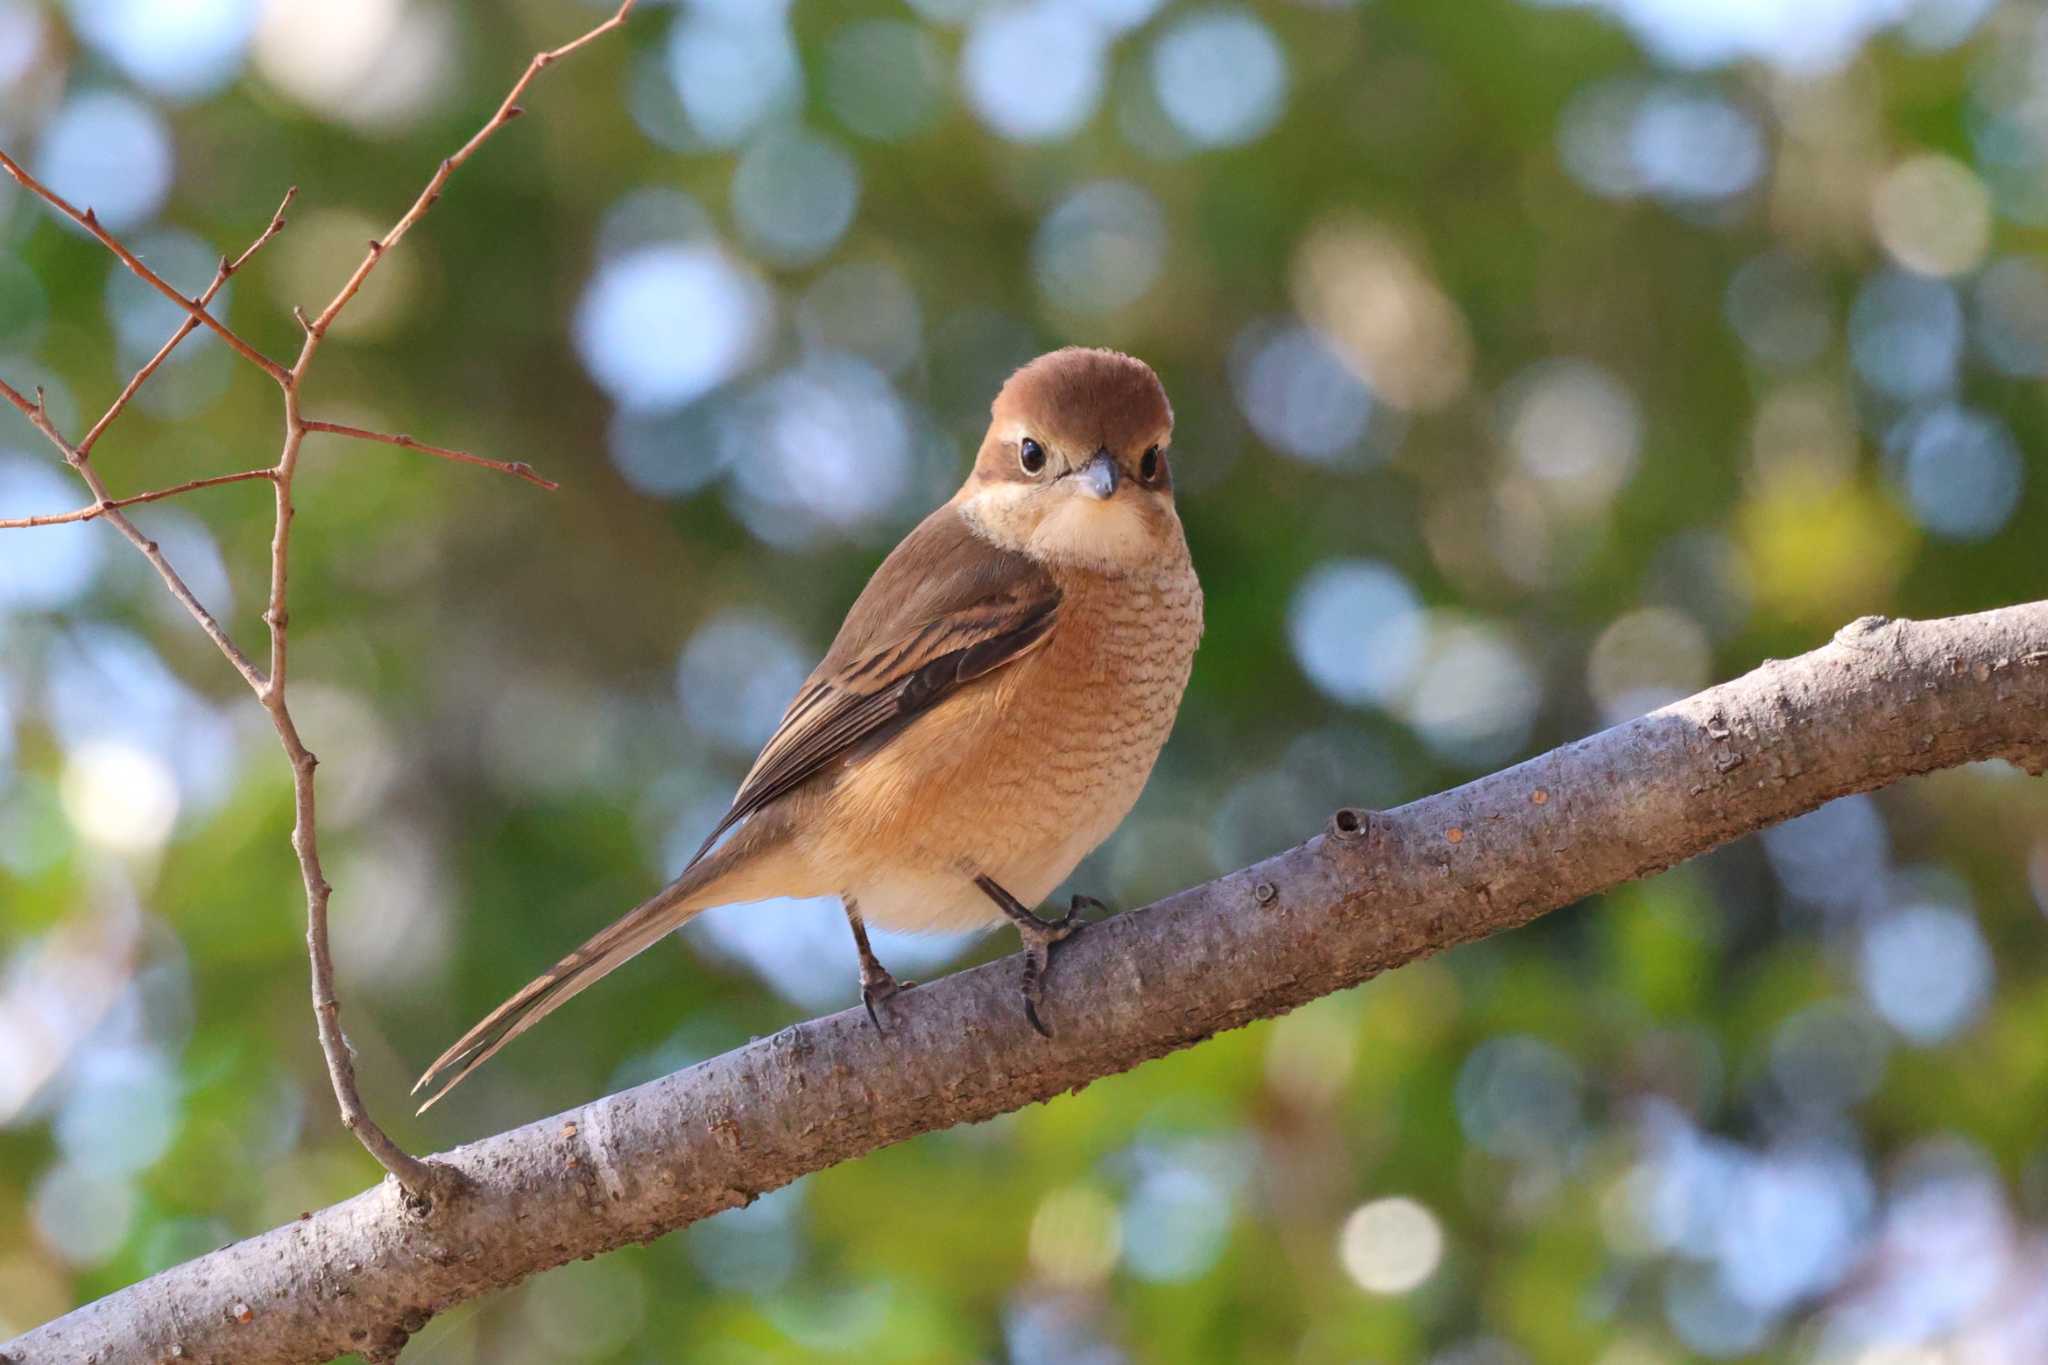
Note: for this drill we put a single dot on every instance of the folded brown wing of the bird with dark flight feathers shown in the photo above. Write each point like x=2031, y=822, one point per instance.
x=943, y=611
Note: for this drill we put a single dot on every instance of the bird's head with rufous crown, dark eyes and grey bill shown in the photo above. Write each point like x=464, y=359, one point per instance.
x=1074, y=470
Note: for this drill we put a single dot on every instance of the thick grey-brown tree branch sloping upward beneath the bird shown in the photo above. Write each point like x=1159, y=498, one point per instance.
x=1881, y=703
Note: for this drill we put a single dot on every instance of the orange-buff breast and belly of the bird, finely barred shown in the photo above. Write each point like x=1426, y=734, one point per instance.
x=1023, y=777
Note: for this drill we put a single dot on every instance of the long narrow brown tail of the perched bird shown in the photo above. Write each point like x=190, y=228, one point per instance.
x=701, y=887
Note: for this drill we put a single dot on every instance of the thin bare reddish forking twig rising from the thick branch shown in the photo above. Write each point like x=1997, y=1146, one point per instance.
x=421, y=1182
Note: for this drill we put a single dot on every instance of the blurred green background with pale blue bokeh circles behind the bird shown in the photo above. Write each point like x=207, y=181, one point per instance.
x=1537, y=363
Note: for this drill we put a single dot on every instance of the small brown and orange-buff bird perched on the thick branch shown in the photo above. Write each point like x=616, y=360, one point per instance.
x=986, y=717
